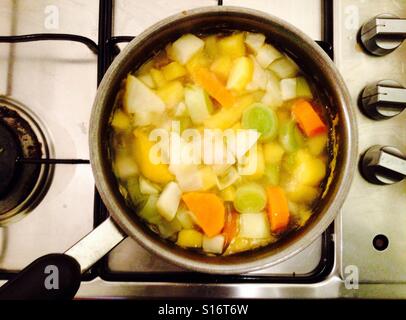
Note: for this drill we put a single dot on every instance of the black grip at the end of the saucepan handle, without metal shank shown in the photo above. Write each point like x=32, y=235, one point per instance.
x=54, y=276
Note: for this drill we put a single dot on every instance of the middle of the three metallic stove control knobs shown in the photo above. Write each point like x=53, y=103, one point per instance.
x=383, y=100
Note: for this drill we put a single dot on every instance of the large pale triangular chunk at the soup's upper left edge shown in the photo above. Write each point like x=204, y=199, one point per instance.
x=139, y=98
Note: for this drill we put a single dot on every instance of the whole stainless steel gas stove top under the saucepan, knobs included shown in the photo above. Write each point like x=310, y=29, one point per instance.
x=50, y=65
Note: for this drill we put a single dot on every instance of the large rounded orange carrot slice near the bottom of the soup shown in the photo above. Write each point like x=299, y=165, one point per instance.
x=208, y=210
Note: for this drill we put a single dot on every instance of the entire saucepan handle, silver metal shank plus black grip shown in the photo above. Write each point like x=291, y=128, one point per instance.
x=57, y=276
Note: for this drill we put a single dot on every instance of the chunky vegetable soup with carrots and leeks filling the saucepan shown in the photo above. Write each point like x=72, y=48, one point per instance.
x=220, y=143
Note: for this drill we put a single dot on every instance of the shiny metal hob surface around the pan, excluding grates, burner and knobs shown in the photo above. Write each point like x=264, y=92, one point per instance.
x=57, y=80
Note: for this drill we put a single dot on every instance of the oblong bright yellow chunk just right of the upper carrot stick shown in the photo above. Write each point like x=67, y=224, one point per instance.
x=240, y=73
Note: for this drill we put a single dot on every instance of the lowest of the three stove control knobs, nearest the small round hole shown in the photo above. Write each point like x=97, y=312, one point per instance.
x=383, y=165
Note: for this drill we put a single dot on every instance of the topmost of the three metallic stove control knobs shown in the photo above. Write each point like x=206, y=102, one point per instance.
x=383, y=34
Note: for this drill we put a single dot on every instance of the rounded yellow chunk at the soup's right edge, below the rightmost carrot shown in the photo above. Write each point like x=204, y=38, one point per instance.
x=309, y=170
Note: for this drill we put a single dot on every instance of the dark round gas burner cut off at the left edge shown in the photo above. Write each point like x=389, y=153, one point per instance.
x=22, y=184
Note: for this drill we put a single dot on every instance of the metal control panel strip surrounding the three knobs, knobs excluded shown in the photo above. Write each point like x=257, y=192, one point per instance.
x=373, y=210
